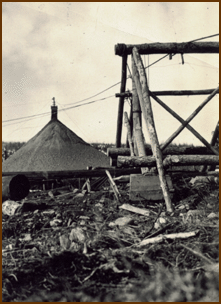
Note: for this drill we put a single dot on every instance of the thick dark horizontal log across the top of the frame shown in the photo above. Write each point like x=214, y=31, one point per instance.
x=168, y=48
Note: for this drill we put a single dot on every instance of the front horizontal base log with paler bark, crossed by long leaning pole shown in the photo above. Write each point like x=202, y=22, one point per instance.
x=170, y=160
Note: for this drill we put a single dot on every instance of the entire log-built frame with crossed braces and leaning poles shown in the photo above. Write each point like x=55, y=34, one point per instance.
x=141, y=98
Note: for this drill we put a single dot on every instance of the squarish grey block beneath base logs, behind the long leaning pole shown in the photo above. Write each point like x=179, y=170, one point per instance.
x=147, y=187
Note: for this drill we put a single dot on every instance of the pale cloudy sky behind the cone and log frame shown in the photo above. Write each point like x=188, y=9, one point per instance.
x=66, y=50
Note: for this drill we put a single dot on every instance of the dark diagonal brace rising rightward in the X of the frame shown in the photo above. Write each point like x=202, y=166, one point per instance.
x=177, y=132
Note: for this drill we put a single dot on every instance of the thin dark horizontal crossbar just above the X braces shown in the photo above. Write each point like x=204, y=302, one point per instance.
x=172, y=93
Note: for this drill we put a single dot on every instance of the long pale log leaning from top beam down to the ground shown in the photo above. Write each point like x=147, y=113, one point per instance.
x=149, y=120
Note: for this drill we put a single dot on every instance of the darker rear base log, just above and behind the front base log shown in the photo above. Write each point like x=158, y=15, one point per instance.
x=115, y=152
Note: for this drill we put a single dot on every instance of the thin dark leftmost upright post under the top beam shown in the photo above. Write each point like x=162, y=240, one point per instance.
x=121, y=101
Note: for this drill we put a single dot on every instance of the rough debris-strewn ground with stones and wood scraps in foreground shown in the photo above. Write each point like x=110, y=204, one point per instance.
x=68, y=245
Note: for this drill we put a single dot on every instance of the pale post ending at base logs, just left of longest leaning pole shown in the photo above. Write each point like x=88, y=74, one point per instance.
x=138, y=134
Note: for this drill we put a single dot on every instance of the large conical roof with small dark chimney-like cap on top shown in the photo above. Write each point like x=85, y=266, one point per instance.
x=55, y=148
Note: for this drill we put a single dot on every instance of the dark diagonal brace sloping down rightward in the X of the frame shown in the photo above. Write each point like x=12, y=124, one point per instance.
x=191, y=129
